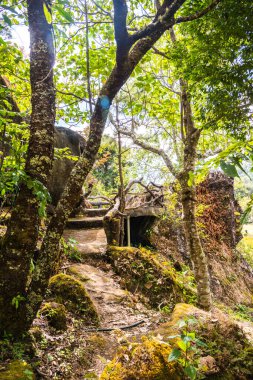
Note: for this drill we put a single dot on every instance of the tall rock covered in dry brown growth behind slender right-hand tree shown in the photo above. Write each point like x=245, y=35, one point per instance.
x=218, y=216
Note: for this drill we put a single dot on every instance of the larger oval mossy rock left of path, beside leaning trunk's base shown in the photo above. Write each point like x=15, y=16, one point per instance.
x=72, y=294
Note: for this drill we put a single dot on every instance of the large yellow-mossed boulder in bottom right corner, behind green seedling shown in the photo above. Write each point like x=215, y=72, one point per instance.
x=225, y=352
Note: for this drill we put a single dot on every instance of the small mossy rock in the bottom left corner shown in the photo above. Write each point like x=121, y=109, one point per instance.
x=17, y=370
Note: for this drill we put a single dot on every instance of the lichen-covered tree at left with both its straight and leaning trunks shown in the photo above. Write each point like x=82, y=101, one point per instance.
x=19, y=242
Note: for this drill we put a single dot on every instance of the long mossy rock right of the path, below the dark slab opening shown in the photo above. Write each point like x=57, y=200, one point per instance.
x=144, y=271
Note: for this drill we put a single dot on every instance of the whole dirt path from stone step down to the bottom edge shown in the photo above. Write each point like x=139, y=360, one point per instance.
x=116, y=308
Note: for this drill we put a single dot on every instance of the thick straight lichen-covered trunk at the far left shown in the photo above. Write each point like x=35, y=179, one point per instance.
x=20, y=240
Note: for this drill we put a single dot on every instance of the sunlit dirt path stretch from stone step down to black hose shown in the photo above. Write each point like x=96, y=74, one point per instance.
x=117, y=307
